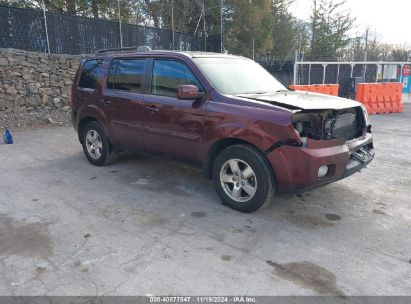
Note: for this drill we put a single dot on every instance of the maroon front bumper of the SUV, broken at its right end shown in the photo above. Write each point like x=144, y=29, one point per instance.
x=296, y=168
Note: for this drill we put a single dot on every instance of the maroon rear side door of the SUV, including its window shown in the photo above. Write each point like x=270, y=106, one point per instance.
x=122, y=101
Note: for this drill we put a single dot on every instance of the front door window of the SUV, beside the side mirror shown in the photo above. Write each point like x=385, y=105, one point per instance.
x=168, y=75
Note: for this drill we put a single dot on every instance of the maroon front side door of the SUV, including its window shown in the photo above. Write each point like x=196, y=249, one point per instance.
x=172, y=127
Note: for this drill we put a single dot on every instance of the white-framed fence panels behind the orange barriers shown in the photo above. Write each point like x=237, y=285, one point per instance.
x=347, y=74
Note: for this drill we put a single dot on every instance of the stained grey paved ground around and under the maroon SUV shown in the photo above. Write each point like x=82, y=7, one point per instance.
x=144, y=226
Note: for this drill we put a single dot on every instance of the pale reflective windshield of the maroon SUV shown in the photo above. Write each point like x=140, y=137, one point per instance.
x=236, y=76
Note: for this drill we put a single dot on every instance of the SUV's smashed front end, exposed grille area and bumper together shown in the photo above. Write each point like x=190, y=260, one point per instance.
x=333, y=144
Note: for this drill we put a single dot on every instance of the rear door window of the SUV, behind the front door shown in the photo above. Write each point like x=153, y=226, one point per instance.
x=126, y=75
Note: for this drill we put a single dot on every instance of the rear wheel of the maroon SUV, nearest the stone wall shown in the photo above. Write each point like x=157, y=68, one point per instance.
x=96, y=145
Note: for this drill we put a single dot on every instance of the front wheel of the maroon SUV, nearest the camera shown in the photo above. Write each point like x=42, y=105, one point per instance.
x=243, y=178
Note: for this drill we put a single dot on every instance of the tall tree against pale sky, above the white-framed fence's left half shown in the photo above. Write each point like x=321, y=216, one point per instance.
x=329, y=27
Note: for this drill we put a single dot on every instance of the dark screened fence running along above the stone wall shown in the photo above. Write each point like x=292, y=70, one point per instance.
x=68, y=34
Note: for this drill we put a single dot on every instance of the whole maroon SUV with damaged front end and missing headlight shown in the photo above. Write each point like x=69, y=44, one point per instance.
x=223, y=113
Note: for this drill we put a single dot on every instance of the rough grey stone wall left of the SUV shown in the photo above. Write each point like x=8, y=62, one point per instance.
x=32, y=81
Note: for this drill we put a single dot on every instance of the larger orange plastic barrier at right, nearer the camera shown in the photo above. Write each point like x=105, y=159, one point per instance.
x=383, y=97
